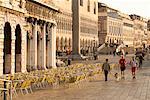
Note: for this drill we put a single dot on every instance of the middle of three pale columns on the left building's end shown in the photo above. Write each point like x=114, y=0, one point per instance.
x=44, y=47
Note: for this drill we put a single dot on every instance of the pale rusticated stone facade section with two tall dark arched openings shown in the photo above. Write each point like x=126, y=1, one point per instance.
x=12, y=48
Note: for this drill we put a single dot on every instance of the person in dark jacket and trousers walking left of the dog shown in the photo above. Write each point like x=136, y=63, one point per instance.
x=106, y=69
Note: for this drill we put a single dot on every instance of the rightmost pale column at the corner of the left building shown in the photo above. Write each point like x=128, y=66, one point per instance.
x=52, y=47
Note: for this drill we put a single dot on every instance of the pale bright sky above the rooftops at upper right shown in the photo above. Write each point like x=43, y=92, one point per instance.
x=139, y=7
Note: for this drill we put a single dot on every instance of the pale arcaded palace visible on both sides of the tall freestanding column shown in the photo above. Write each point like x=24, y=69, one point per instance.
x=88, y=26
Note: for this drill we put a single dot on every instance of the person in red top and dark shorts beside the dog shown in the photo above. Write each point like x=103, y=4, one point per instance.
x=122, y=62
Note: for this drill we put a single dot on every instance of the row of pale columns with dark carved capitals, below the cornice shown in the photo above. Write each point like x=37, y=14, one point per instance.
x=41, y=44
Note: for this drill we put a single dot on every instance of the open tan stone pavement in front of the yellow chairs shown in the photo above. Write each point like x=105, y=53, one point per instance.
x=128, y=89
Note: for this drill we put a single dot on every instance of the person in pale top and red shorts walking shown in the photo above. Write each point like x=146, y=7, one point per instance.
x=133, y=64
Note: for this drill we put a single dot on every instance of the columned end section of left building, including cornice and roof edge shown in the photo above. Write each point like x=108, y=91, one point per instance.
x=41, y=35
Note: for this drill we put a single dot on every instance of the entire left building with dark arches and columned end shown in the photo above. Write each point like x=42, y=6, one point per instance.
x=27, y=38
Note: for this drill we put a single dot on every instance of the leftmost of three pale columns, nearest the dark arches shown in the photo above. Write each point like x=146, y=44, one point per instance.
x=34, y=47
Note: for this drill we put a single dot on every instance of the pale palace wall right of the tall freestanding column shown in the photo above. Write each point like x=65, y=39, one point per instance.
x=89, y=27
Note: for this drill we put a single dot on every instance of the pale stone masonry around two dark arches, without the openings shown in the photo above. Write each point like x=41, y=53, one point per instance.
x=12, y=13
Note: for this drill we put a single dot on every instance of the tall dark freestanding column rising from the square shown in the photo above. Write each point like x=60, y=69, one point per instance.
x=76, y=29
